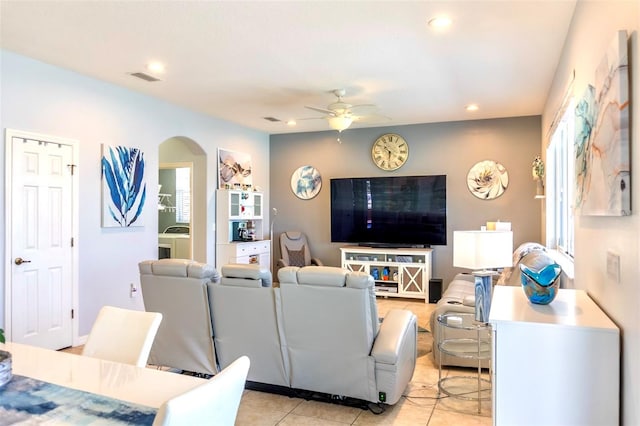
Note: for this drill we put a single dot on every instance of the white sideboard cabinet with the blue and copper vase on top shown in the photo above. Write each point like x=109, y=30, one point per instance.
x=556, y=364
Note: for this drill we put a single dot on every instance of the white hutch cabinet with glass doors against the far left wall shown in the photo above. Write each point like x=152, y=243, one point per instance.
x=239, y=228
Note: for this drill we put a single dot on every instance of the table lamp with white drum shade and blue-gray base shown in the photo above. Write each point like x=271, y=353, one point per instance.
x=482, y=251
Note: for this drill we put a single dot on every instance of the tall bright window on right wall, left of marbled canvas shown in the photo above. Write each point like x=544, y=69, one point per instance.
x=561, y=183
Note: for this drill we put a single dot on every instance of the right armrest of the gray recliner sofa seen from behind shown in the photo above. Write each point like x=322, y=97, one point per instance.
x=393, y=331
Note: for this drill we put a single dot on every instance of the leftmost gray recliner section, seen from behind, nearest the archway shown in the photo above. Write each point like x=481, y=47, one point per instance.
x=177, y=288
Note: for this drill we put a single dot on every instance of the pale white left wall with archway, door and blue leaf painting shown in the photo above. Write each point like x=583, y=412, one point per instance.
x=40, y=98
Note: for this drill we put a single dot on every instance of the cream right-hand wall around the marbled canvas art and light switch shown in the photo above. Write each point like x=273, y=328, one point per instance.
x=593, y=28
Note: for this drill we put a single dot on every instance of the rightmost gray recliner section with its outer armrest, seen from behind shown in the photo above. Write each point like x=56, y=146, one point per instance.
x=334, y=342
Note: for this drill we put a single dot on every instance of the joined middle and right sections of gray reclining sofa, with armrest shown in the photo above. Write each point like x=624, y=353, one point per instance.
x=319, y=331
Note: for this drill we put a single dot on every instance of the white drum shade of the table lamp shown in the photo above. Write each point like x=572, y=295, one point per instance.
x=482, y=249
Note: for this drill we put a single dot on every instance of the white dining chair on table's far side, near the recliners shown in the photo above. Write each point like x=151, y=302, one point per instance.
x=122, y=335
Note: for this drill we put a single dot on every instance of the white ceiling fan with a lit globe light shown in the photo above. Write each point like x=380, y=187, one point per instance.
x=340, y=114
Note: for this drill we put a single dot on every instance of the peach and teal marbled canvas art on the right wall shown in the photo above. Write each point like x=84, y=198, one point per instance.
x=603, y=183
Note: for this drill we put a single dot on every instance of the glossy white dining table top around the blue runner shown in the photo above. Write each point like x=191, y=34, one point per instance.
x=145, y=386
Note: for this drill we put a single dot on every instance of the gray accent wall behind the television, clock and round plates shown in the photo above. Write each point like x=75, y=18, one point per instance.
x=442, y=148
